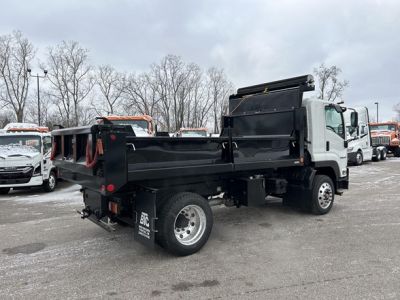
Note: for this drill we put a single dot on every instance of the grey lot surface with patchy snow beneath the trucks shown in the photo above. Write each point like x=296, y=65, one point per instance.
x=48, y=252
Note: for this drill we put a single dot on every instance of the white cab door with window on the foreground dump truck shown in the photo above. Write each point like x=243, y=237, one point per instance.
x=335, y=137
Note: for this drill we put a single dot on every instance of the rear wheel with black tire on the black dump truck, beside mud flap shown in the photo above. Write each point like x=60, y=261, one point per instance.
x=184, y=224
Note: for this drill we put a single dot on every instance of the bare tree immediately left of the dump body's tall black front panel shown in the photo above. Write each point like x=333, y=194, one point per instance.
x=219, y=89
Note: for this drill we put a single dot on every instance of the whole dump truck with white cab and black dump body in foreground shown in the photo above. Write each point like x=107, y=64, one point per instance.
x=272, y=143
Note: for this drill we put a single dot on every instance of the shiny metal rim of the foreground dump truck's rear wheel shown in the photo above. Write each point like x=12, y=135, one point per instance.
x=189, y=225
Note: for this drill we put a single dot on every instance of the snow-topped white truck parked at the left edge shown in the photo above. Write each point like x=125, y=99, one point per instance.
x=25, y=151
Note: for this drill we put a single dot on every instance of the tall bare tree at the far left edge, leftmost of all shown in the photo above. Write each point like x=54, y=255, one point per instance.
x=16, y=54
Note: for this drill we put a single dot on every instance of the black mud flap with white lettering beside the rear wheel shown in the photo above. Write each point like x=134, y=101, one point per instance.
x=145, y=209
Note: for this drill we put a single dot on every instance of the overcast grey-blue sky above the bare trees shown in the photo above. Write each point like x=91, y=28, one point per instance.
x=254, y=41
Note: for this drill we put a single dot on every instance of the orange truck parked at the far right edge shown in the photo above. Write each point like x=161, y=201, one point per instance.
x=386, y=134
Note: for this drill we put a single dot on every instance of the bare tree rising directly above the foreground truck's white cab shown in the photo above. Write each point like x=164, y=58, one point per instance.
x=330, y=87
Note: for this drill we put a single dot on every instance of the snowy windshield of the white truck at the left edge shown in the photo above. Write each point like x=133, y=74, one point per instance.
x=20, y=145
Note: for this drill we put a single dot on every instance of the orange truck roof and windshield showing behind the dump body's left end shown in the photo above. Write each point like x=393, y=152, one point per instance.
x=142, y=125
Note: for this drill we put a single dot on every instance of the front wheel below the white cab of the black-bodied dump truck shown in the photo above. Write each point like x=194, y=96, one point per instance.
x=322, y=195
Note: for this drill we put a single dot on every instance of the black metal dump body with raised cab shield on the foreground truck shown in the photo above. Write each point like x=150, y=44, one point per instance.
x=264, y=129
